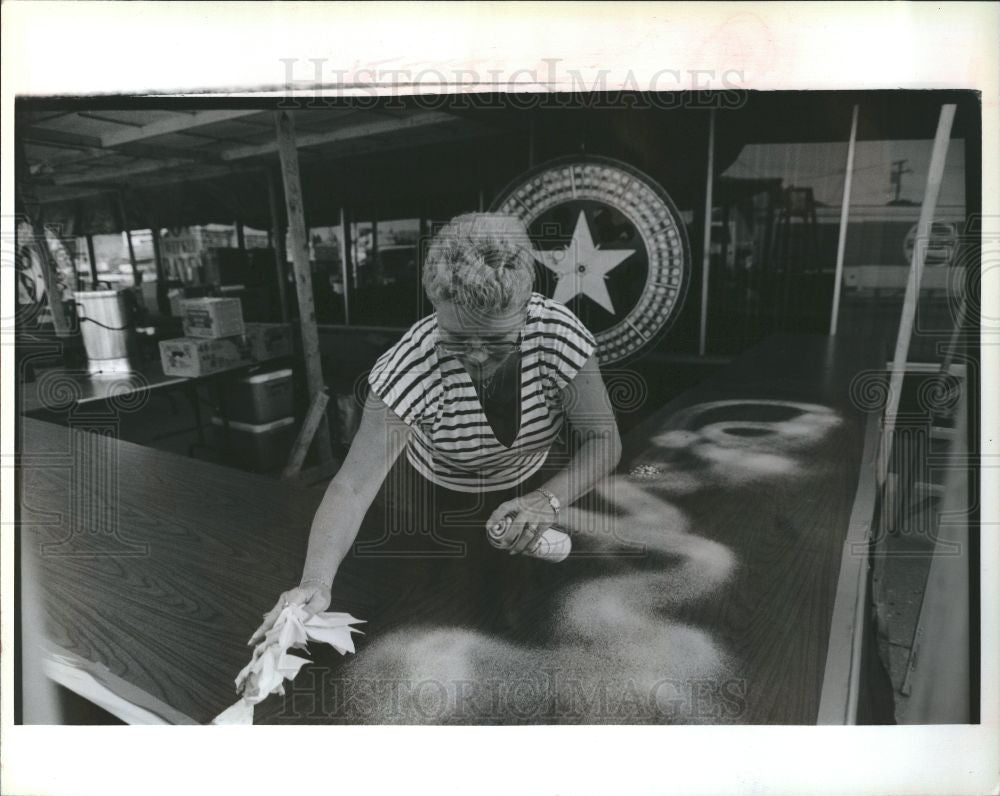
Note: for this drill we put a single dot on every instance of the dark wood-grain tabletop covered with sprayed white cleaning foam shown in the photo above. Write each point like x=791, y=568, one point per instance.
x=700, y=590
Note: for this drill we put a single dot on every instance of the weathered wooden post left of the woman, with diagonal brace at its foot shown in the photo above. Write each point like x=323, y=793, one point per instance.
x=303, y=276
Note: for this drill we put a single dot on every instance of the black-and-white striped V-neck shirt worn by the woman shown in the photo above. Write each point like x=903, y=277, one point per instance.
x=451, y=442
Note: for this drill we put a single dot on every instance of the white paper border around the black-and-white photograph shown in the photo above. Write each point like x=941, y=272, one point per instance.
x=229, y=49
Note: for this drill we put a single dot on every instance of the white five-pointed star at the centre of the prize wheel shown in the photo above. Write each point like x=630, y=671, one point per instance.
x=582, y=267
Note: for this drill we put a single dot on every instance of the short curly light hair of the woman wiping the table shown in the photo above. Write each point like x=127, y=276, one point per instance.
x=482, y=261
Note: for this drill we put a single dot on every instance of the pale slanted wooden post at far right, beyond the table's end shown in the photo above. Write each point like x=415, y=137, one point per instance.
x=935, y=173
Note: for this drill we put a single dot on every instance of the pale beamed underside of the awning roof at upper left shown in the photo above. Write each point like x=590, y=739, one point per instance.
x=80, y=153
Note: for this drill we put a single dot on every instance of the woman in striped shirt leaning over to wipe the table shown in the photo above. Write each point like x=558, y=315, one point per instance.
x=476, y=393
